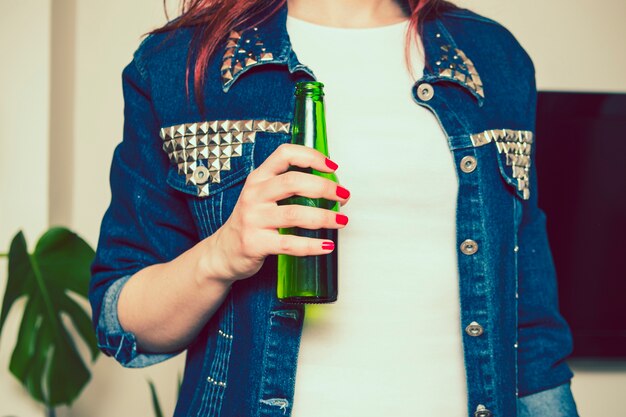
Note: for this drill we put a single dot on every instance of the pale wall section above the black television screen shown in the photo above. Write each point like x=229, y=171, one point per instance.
x=575, y=44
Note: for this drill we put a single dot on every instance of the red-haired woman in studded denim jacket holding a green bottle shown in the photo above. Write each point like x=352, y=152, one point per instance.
x=447, y=302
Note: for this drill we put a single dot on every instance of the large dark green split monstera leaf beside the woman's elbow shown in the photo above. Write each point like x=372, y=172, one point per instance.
x=45, y=358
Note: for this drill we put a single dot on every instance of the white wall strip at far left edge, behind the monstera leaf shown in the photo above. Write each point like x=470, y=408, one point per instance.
x=24, y=120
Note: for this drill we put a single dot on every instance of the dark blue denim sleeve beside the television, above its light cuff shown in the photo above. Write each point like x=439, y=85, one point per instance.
x=544, y=338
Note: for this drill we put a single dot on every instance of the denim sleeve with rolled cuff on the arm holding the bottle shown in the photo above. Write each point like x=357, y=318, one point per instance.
x=147, y=222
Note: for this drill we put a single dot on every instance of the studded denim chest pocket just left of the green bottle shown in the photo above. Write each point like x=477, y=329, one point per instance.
x=210, y=161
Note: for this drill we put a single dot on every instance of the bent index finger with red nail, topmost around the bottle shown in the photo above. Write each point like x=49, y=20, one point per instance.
x=287, y=155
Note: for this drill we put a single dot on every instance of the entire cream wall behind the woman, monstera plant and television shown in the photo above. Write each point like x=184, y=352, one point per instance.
x=62, y=85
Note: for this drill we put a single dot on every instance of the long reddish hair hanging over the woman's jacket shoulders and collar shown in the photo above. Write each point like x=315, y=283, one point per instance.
x=215, y=19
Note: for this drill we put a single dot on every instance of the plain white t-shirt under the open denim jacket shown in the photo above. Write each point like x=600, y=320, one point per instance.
x=392, y=343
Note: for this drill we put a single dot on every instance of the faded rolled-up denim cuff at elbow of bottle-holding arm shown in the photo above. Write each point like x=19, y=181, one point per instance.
x=114, y=341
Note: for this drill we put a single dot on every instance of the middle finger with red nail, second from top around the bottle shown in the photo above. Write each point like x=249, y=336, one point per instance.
x=302, y=184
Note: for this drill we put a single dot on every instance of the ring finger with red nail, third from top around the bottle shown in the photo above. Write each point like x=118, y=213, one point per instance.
x=311, y=218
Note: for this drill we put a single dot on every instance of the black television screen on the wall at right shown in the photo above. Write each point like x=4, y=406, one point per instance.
x=581, y=167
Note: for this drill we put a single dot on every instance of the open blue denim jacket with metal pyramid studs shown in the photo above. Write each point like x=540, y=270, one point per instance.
x=178, y=171
